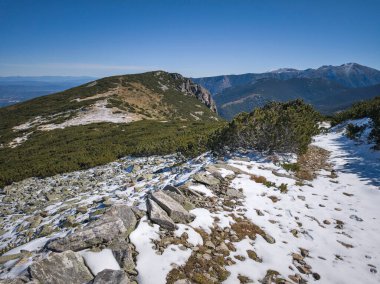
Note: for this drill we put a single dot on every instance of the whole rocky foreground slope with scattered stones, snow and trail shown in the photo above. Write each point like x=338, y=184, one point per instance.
x=166, y=219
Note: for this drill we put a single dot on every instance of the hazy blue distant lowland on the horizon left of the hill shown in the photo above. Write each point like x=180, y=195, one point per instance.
x=15, y=89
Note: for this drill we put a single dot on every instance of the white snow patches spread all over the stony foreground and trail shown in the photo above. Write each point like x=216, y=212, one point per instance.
x=332, y=222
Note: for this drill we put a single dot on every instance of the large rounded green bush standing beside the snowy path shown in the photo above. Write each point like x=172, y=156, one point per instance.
x=276, y=127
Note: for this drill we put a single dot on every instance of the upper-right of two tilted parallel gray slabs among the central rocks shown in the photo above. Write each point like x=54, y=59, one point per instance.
x=175, y=210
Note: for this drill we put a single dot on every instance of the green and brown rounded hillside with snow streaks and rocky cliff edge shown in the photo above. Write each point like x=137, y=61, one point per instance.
x=149, y=113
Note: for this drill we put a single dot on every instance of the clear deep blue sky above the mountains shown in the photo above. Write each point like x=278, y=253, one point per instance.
x=192, y=37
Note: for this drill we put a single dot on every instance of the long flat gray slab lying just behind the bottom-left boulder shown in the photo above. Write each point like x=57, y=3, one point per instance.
x=97, y=232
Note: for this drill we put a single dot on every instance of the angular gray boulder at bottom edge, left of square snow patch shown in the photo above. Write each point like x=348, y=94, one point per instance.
x=61, y=268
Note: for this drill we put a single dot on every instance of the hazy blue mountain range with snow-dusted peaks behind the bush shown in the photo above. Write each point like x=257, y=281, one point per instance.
x=328, y=88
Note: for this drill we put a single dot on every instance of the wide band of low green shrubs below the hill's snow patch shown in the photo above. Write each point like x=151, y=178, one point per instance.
x=80, y=147
